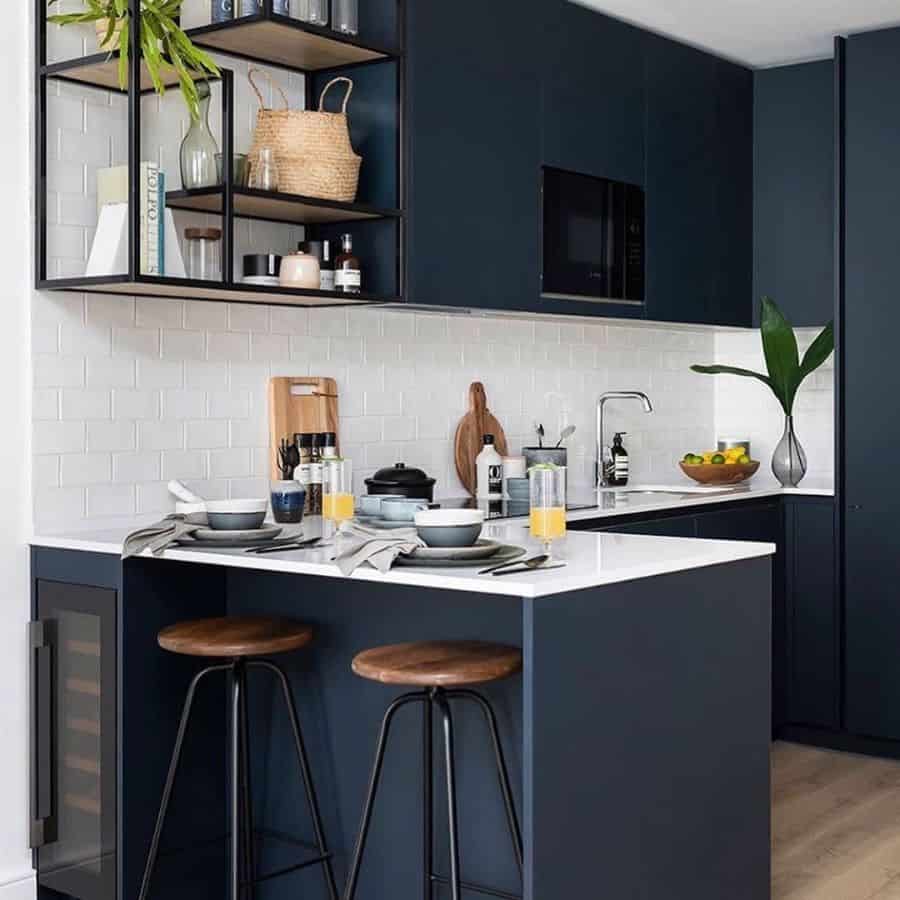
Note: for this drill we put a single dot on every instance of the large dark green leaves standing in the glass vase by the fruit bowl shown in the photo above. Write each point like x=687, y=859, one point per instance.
x=786, y=371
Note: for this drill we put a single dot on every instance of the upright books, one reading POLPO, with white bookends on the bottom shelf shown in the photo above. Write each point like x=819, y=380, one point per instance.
x=160, y=253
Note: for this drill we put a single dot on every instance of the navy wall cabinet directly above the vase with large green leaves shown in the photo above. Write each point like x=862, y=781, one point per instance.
x=794, y=191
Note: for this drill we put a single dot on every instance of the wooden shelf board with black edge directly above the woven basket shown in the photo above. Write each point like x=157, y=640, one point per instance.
x=285, y=42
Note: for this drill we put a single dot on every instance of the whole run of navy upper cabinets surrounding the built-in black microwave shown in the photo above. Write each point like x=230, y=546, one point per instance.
x=529, y=84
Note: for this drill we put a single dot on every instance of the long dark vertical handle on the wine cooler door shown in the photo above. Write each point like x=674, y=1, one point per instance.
x=43, y=788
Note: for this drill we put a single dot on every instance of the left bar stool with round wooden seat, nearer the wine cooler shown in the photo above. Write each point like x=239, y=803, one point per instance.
x=241, y=640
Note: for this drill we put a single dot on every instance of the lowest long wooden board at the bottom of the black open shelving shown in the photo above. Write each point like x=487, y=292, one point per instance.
x=185, y=289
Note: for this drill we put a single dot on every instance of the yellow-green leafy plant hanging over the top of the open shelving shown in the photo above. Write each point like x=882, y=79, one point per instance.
x=163, y=44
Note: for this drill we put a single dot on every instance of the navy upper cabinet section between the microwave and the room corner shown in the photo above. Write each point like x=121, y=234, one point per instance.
x=699, y=183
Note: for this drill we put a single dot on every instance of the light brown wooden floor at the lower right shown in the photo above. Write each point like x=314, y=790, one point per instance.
x=835, y=826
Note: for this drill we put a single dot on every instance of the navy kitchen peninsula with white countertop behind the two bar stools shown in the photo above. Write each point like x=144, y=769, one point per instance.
x=637, y=734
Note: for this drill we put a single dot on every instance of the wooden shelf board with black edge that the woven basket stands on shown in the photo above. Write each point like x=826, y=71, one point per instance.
x=275, y=207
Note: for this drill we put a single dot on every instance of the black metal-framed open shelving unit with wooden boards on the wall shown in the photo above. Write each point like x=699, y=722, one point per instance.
x=268, y=39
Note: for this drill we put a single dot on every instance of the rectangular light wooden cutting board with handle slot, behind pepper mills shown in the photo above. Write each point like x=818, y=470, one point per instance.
x=298, y=406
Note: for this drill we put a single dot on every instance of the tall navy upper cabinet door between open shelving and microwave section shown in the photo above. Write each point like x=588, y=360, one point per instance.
x=473, y=155
